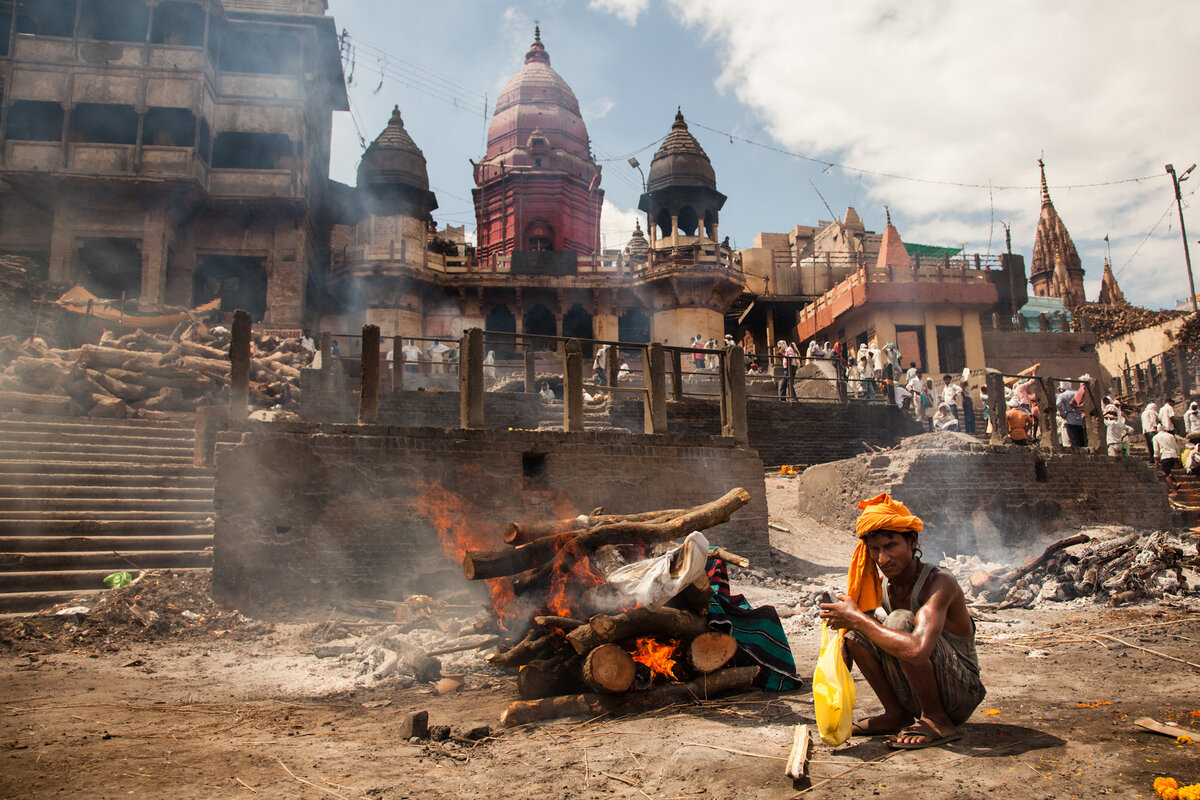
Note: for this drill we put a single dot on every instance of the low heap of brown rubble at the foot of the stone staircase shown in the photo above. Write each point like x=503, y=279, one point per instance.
x=160, y=604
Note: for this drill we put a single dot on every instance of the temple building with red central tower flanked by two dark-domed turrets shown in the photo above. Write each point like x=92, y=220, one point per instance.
x=538, y=268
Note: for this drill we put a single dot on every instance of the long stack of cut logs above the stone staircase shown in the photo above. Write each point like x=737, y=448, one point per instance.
x=143, y=375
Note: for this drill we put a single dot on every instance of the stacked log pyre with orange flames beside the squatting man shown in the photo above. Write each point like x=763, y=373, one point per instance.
x=584, y=649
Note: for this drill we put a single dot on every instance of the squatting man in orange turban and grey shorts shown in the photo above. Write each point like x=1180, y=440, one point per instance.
x=921, y=658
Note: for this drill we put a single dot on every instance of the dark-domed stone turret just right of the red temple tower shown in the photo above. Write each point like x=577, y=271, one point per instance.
x=689, y=281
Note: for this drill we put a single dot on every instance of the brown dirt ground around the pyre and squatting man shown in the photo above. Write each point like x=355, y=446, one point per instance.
x=215, y=706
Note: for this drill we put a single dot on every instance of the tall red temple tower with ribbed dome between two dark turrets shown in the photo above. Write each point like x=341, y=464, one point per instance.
x=538, y=193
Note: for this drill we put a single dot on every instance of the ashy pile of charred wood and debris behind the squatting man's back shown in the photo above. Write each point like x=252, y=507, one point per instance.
x=1119, y=572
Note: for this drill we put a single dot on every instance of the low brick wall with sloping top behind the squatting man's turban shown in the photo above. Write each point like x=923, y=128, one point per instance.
x=975, y=498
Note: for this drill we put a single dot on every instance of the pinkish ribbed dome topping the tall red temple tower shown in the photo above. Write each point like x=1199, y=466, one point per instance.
x=537, y=99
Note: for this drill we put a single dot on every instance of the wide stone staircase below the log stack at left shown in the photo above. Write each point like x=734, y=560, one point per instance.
x=83, y=498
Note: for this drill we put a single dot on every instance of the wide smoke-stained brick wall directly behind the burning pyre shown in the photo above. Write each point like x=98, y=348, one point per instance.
x=311, y=514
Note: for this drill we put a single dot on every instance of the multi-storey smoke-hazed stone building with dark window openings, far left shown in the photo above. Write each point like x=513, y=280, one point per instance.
x=171, y=152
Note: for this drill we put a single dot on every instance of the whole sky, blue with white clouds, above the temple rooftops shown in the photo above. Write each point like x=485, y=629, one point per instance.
x=938, y=110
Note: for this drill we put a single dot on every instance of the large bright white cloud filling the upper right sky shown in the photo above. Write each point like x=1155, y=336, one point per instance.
x=975, y=94
